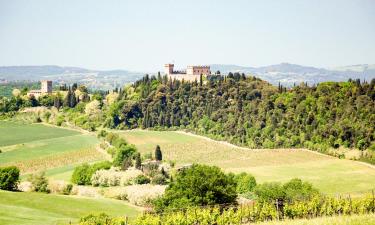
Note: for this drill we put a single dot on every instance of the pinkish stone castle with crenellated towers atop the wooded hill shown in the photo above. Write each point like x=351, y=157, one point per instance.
x=191, y=73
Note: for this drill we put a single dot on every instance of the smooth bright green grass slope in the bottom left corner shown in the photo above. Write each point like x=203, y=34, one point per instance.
x=34, y=208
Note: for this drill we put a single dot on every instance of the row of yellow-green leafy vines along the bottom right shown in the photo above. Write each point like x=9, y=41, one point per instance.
x=262, y=211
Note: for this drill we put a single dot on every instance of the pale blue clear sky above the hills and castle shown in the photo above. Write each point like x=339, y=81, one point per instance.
x=143, y=35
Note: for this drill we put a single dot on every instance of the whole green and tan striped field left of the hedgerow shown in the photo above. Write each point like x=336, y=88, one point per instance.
x=37, y=147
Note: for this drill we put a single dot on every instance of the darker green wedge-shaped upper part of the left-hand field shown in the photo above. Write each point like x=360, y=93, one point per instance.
x=15, y=133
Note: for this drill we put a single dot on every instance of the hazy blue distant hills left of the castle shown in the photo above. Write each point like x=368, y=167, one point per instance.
x=95, y=79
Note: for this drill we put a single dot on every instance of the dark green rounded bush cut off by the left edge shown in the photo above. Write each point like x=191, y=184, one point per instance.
x=9, y=178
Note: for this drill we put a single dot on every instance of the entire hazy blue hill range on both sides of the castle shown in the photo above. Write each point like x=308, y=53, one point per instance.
x=285, y=73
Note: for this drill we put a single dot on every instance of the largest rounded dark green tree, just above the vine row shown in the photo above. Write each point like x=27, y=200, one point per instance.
x=198, y=185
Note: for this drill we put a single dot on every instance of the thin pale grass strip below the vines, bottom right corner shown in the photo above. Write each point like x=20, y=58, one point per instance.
x=335, y=220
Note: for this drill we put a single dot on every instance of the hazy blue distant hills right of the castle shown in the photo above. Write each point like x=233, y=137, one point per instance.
x=288, y=74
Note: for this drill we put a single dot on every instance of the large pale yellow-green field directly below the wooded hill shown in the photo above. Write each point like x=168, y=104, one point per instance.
x=330, y=175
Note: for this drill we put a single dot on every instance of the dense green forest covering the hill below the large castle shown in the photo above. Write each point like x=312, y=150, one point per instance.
x=248, y=111
